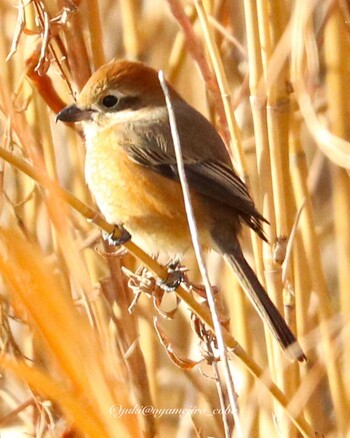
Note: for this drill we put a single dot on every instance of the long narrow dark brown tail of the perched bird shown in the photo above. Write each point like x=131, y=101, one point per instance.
x=261, y=301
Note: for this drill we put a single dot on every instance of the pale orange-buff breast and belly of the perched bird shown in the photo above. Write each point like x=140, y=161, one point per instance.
x=148, y=205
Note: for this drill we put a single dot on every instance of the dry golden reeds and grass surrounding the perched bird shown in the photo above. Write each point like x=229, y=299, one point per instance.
x=71, y=352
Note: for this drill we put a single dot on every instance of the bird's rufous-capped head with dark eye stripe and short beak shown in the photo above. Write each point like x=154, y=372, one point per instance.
x=118, y=92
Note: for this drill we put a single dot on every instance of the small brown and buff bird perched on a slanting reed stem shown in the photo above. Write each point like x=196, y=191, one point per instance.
x=131, y=171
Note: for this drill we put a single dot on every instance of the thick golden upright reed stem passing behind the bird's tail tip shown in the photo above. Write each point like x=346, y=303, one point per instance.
x=277, y=123
